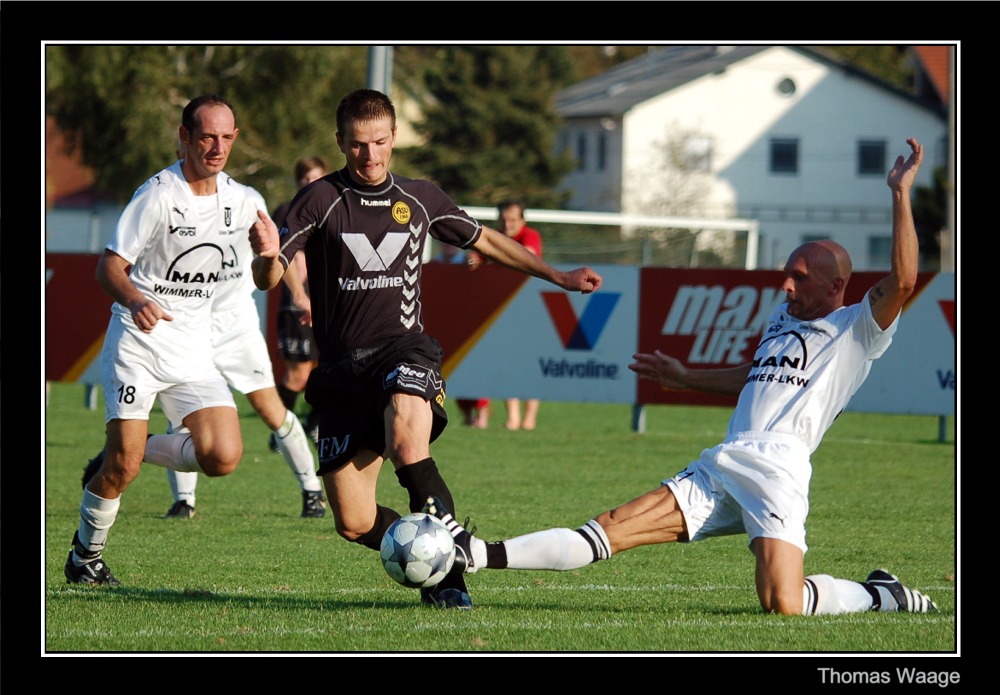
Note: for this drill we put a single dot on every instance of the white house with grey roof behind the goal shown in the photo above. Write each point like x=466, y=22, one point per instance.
x=786, y=135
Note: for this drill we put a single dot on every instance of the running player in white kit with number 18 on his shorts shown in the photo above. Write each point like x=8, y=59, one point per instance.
x=162, y=267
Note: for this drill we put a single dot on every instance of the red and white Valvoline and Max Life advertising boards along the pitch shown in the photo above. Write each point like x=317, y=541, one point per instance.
x=499, y=337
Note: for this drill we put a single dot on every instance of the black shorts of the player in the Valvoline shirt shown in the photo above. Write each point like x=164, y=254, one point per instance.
x=349, y=395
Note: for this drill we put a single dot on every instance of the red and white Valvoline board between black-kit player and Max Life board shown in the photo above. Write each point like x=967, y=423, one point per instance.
x=505, y=335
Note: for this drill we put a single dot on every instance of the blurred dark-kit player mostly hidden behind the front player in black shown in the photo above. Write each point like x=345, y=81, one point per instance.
x=296, y=343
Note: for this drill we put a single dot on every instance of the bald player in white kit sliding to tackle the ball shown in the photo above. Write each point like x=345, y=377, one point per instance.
x=813, y=357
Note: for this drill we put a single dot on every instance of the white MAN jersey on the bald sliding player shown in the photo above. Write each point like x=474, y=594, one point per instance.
x=805, y=372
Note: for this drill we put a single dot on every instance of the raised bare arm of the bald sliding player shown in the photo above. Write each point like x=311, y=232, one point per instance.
x=890, y=293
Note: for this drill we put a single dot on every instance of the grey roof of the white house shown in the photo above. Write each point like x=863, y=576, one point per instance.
x=662, y=69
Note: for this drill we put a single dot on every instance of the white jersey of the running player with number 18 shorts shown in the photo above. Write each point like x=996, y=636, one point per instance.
x=183, y=249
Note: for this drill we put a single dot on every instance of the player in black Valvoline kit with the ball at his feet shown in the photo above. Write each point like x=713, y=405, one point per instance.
x=378, y=389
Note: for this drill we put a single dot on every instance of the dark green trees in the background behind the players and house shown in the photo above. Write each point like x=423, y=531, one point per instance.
x=489, y=122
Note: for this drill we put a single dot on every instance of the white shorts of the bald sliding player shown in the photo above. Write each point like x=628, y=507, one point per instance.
x=755, y=483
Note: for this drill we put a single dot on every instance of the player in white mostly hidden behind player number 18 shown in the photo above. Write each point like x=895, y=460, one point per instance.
x=240, y=353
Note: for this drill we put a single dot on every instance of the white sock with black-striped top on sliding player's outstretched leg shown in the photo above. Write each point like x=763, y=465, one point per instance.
x=558, y=548
